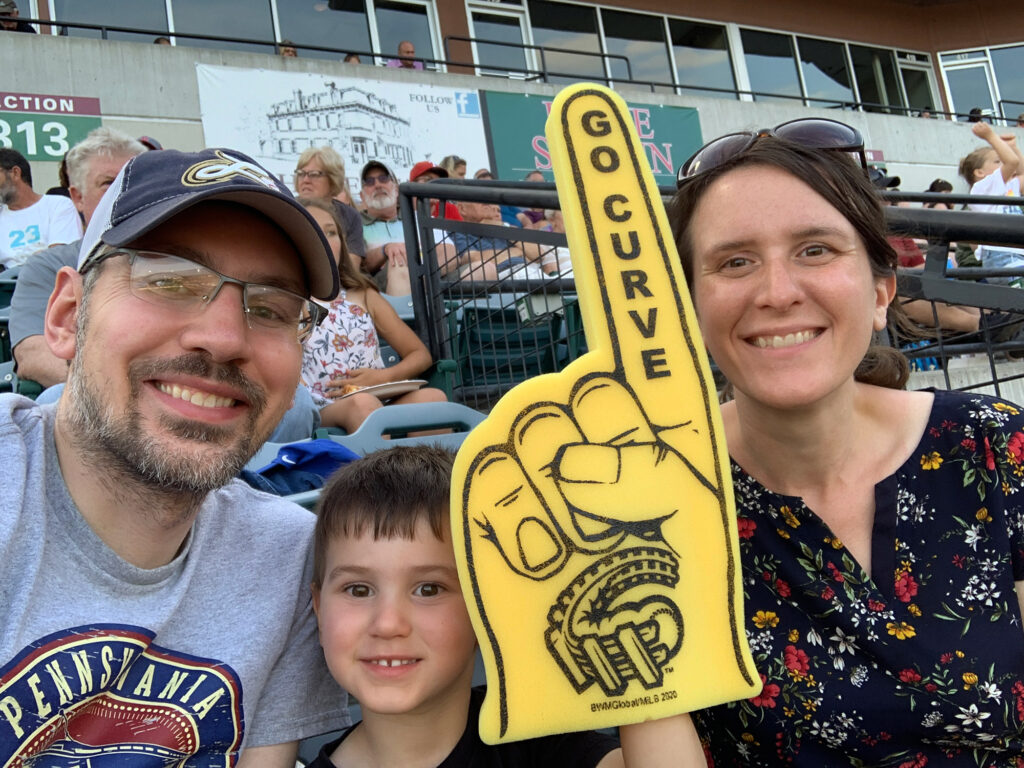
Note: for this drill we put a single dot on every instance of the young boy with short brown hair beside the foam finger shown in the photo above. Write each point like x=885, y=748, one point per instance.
x=395, y=627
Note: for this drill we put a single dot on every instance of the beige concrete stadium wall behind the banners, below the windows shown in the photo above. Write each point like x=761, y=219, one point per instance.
x=149, y=90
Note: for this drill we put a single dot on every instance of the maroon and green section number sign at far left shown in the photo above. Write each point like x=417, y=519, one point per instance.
x=44, y=127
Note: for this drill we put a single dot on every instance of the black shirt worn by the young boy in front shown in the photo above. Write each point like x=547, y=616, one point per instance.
x=583, y=750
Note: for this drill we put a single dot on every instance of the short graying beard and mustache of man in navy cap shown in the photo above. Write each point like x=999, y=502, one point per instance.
x=119, y=443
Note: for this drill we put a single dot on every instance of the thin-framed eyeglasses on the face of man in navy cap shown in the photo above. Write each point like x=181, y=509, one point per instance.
x=168, y=281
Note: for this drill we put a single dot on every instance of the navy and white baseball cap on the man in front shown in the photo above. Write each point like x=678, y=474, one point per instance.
x=155, y=187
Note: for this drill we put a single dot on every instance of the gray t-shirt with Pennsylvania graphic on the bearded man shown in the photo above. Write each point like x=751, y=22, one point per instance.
x=190, y=662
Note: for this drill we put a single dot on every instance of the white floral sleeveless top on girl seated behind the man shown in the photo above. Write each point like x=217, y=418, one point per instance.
x=345, y=342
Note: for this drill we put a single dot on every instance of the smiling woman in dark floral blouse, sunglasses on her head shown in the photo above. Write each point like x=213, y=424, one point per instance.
x=882, y=531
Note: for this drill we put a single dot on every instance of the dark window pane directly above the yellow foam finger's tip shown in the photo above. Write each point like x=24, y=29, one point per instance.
x=573, y=27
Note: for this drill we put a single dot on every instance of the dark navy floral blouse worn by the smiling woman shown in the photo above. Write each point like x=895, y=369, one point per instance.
x=922, y=664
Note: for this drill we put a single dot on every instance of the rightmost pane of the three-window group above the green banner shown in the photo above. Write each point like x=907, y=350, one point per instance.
x=702, y=56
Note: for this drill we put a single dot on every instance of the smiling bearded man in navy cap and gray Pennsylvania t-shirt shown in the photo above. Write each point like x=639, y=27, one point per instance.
x=151, y=608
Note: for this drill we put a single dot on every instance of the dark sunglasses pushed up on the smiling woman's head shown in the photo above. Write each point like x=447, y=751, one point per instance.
x=816, y=134
